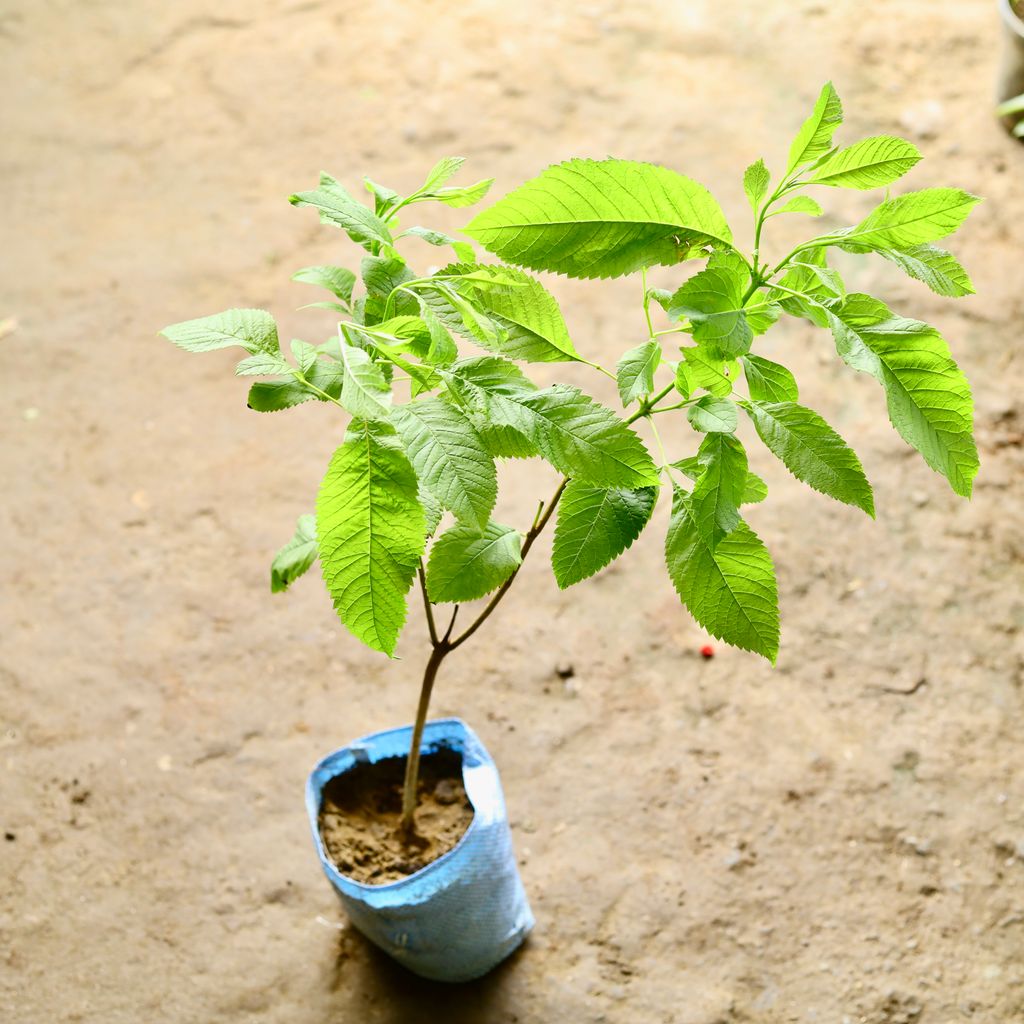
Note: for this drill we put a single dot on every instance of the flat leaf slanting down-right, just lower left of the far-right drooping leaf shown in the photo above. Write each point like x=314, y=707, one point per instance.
x=813, y=452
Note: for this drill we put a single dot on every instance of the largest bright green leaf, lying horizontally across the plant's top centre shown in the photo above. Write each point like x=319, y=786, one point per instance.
x=589, y=219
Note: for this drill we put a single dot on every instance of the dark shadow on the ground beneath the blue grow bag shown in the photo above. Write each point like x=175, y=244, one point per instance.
x=370, y=978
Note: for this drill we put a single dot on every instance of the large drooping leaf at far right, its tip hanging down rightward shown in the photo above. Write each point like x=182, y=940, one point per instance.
x=928, y=397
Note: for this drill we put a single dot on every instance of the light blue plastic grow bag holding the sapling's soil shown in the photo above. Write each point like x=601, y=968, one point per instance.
x=463, y=914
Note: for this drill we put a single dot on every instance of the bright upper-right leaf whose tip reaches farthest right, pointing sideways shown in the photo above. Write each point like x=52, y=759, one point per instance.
x=909, y=221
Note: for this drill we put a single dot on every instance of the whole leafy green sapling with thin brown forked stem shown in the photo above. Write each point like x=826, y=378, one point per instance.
x=408, y=497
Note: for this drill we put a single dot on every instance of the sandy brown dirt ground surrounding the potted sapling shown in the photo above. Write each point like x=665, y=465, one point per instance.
x=704, y=843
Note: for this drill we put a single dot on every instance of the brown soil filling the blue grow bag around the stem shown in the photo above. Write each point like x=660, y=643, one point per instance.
x=360, y=814
